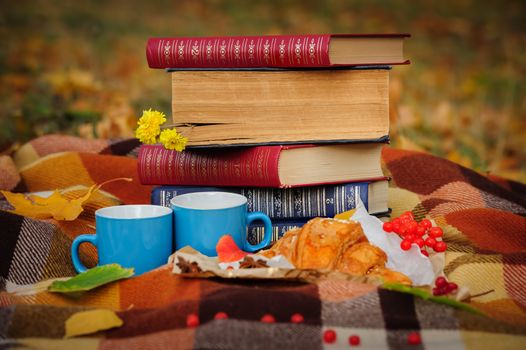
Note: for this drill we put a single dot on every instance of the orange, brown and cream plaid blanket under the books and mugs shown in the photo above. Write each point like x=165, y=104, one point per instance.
x=484, y=220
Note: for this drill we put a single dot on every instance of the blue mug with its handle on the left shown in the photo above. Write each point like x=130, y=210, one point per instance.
x=138, y=236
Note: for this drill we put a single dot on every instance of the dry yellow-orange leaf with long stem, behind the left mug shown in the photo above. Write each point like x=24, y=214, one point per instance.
x=55, y=206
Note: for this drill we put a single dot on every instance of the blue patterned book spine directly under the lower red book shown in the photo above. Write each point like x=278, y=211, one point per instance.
x=283, y=203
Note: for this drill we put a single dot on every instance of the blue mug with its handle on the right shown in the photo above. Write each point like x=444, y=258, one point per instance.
x=202, y=218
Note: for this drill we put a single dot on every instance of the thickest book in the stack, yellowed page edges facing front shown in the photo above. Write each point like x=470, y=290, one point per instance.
x=229, y=107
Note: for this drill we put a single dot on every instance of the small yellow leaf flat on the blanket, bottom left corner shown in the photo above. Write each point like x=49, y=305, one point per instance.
x=88, y=322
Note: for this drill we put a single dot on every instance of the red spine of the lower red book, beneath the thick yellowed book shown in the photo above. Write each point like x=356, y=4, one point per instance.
x=251, y=167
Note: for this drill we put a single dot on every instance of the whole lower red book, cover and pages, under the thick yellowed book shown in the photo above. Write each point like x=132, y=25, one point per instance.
x=261, y=166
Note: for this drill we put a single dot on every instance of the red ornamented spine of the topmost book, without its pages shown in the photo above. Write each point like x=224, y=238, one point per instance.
x=239, y=51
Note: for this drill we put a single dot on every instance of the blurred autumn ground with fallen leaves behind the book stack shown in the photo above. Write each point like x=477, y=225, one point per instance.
x=80, y=69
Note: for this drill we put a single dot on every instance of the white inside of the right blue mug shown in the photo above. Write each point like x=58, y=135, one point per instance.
x=208, y=200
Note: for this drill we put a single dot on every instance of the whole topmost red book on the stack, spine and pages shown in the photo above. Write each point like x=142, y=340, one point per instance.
x=310, y=50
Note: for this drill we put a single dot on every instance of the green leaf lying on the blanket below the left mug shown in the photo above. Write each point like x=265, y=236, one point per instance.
x=92, y=278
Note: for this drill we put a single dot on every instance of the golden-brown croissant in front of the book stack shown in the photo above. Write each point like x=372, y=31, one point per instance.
x=330, y=244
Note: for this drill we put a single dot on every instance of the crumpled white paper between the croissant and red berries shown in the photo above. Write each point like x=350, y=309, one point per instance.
x=412, y=263
